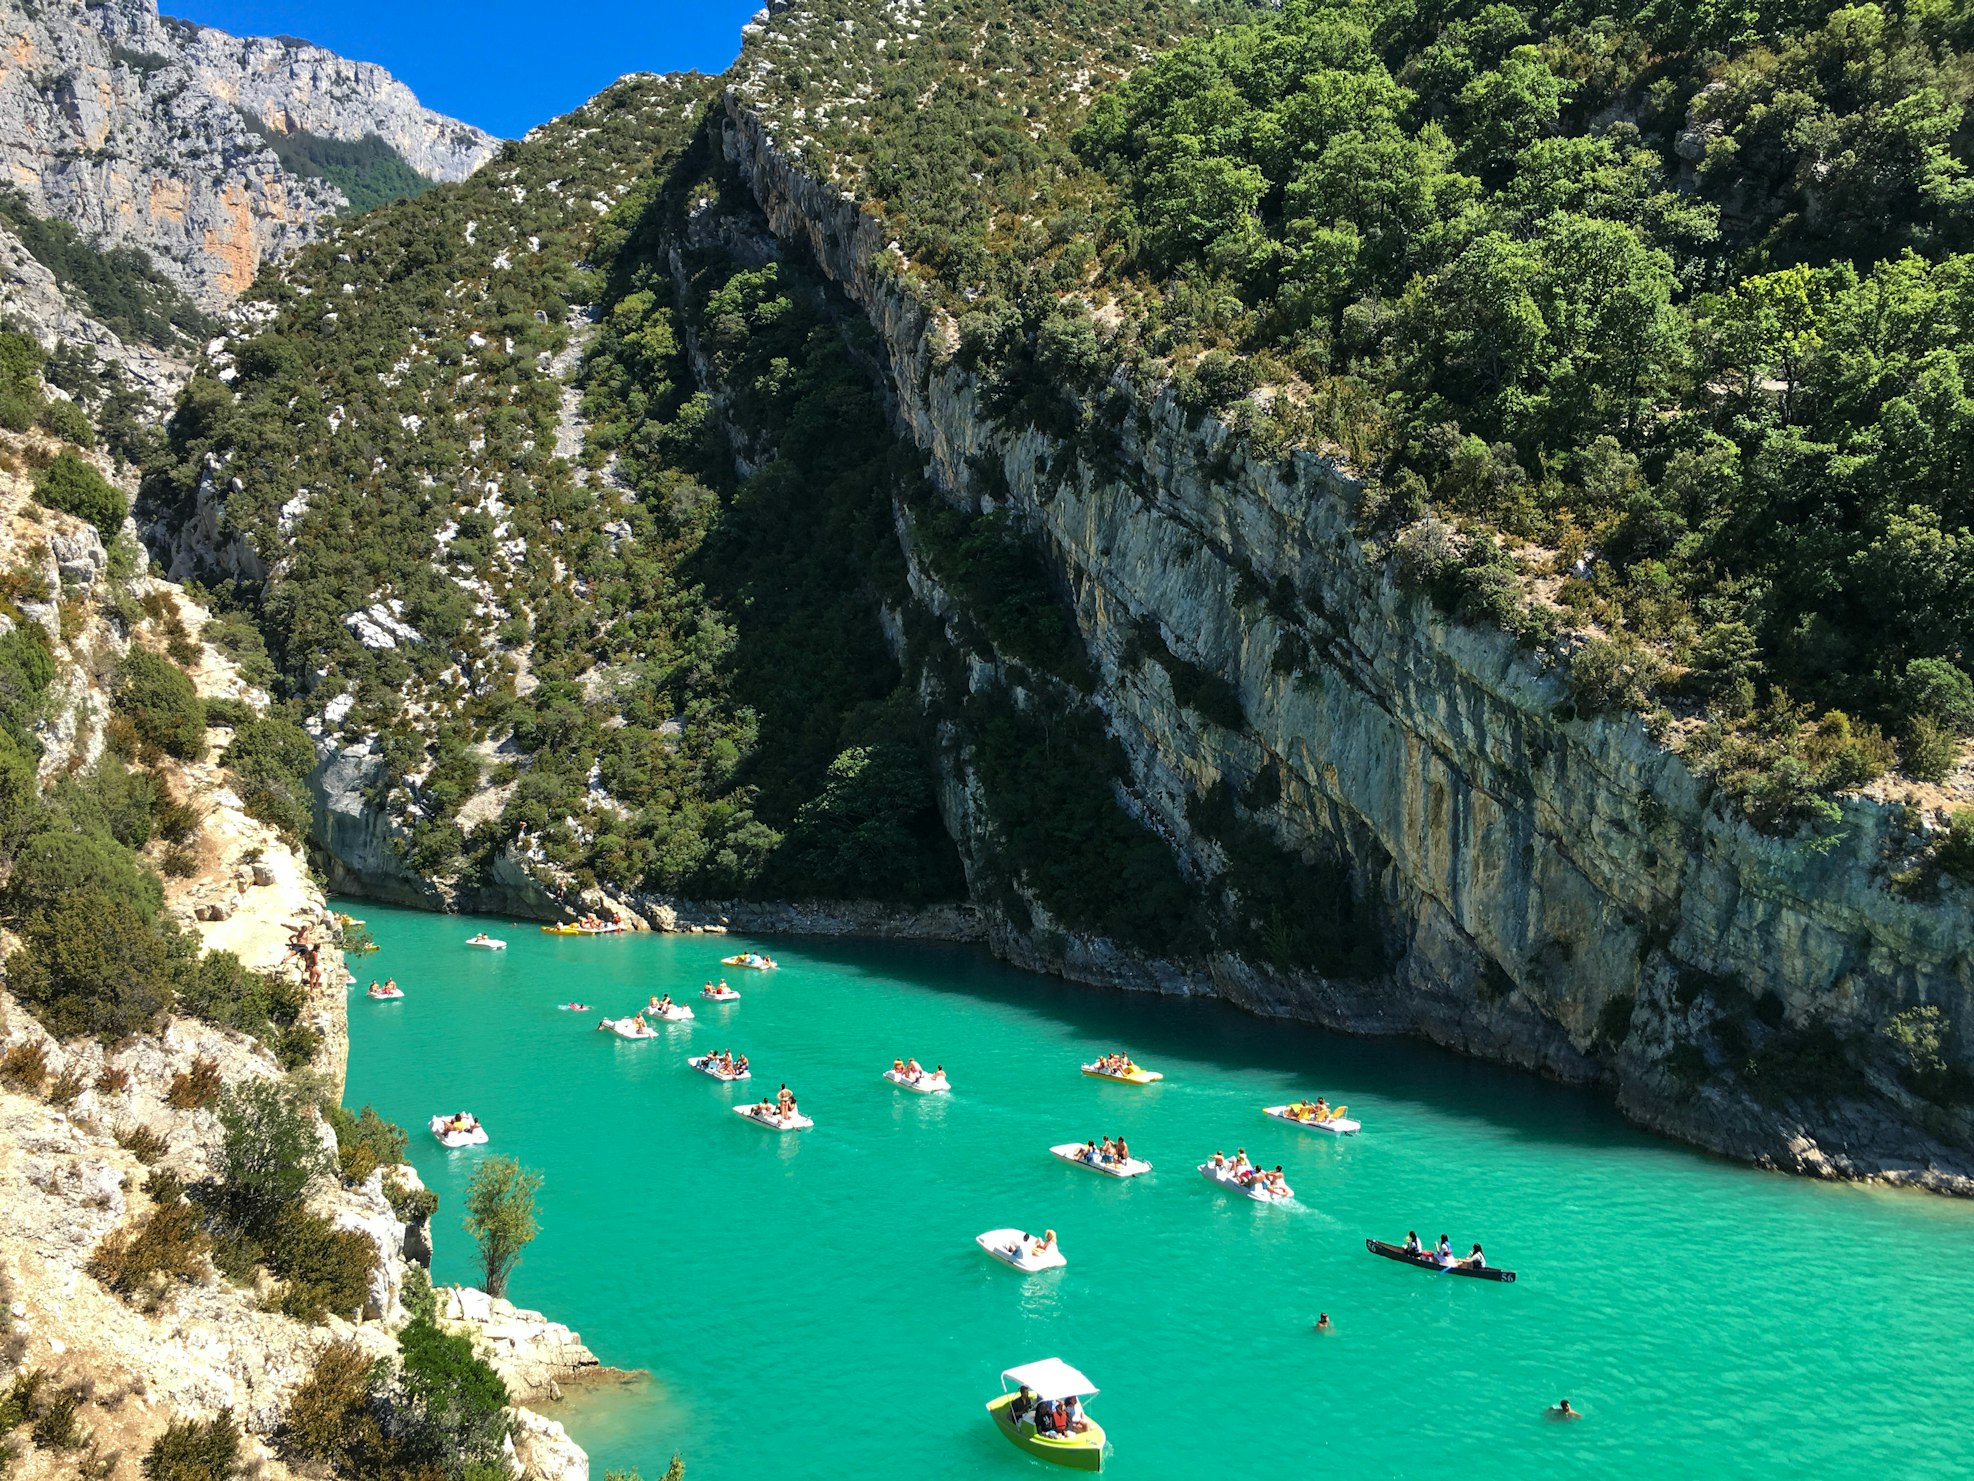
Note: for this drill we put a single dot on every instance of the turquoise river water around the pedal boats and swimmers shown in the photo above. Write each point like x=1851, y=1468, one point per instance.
x=814, y=1304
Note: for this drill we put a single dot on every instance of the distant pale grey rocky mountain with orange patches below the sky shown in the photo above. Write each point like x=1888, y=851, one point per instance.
x=155, y=133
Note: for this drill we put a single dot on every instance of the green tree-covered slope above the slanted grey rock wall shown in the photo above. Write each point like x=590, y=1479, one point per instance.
x=1647, y=325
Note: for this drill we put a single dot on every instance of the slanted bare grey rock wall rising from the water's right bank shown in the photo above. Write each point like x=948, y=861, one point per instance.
x=1549, y=892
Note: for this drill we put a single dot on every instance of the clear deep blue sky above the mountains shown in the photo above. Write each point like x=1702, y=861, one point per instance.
x=498, y=64
